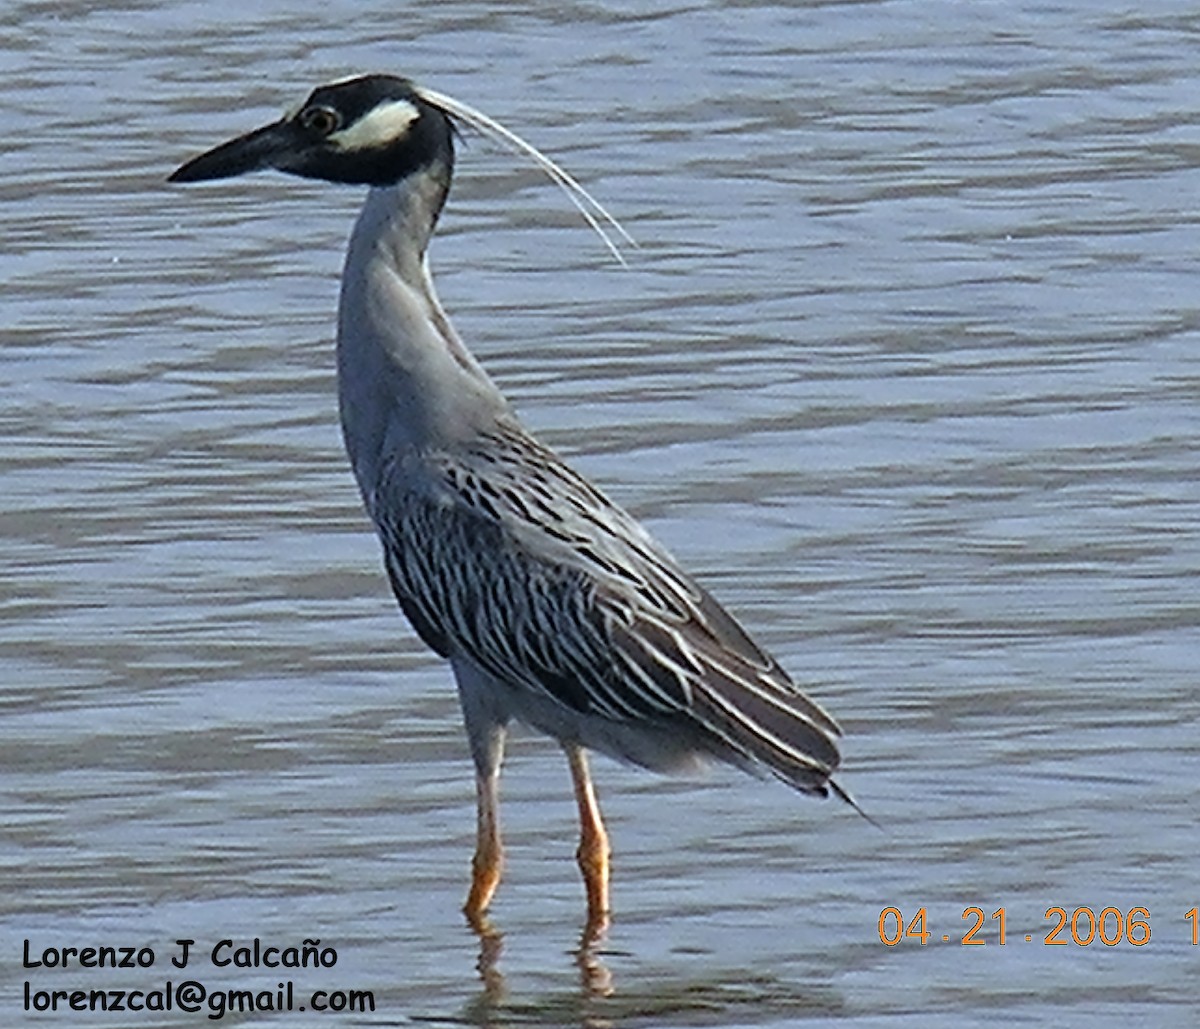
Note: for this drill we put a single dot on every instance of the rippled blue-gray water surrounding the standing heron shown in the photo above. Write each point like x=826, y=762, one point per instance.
x=905, y=371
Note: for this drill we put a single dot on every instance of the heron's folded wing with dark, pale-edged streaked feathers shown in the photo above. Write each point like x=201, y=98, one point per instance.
x=508, y=556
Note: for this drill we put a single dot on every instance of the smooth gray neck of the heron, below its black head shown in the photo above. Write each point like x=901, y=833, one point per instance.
x=406, y=382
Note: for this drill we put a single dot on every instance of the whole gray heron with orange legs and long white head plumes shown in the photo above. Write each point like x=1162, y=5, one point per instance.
x=554, y=607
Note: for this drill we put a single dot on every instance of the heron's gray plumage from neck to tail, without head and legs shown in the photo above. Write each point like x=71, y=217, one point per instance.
x=503, y=557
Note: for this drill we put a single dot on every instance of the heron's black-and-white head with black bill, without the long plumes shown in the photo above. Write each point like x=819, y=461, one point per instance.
x=370, y=130
